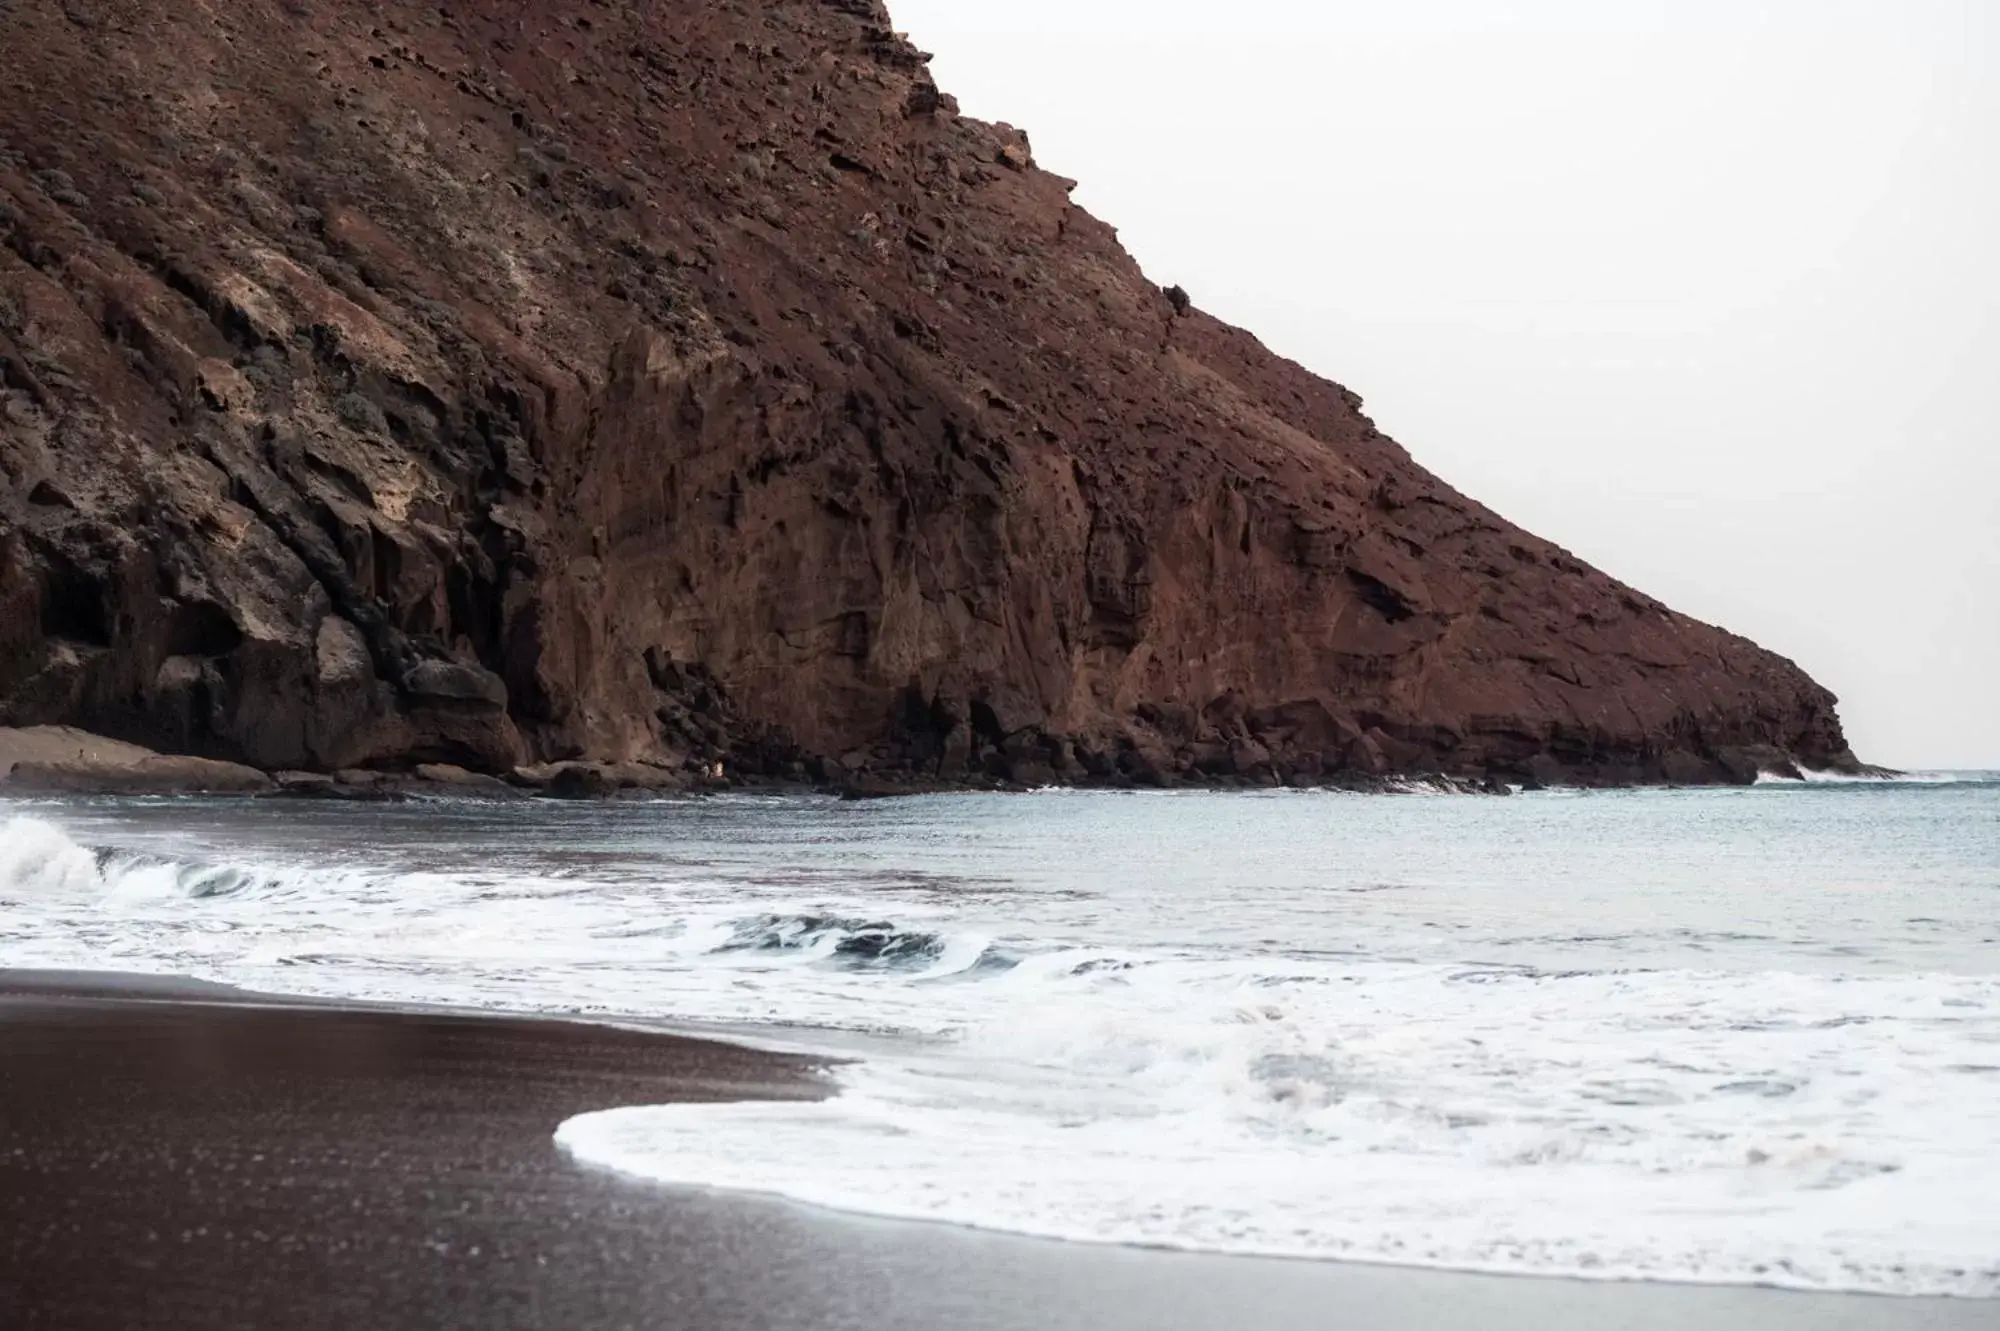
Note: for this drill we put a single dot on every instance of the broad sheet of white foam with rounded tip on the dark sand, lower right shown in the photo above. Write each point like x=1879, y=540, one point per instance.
x=1651, y=1126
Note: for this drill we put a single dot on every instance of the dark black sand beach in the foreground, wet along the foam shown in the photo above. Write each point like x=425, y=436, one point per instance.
x=185, y=1156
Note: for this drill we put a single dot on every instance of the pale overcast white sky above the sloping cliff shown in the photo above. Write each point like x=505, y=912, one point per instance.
x=1707, y=291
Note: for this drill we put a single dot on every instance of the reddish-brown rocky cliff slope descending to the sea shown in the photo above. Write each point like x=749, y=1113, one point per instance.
x=389, y=383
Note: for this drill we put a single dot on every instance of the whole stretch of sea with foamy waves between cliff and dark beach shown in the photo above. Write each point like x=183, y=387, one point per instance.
x=1741, y=1036
